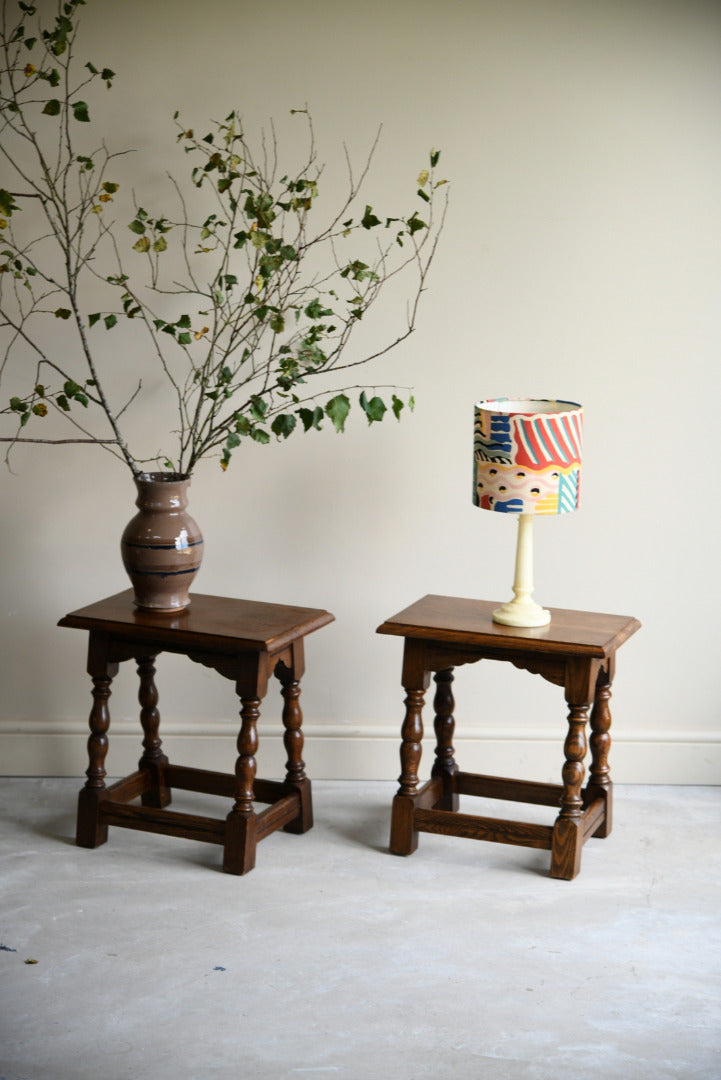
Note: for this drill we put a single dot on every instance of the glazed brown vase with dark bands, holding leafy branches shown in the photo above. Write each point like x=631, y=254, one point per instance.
x=162, y=546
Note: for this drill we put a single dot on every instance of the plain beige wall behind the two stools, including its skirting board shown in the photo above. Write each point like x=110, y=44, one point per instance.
x=581, y=260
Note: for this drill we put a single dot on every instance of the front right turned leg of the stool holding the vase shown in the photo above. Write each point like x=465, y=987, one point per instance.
x=241, y=833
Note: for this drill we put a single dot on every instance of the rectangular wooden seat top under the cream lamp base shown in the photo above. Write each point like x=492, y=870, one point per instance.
x=471, y=623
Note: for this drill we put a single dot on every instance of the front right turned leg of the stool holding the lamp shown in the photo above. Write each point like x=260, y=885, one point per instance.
x=568, y=831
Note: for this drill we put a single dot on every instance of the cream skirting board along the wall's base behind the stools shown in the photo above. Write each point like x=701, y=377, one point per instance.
x=35, y=749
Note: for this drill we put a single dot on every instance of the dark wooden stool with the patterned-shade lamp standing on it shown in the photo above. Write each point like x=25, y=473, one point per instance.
x=576, y=652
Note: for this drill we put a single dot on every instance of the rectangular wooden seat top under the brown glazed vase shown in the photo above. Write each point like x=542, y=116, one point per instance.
x=210, y=622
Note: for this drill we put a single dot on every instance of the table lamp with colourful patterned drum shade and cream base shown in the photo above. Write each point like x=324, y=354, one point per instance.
x=527, y=461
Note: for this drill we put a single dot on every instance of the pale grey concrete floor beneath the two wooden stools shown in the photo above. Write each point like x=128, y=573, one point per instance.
x=334, y=958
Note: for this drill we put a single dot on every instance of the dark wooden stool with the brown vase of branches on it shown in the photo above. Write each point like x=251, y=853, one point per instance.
x=243, y=641
